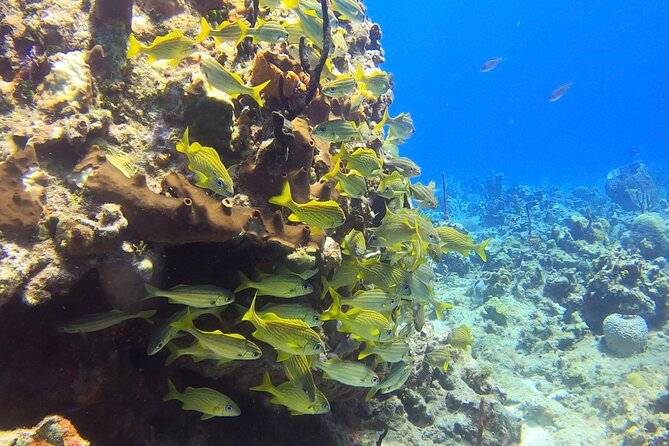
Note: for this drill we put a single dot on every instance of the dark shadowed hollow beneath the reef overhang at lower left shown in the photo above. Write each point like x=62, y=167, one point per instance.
x=112, y=391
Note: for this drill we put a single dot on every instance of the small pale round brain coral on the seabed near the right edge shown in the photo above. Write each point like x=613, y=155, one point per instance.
x=625, y=334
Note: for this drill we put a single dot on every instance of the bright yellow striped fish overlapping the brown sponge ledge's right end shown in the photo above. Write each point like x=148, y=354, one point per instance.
x=317, y=214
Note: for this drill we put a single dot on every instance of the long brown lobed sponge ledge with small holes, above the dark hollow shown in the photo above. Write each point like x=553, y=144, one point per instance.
x=188, y=215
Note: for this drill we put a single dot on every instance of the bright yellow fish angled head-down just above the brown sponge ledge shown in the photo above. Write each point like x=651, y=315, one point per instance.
x=206, y=165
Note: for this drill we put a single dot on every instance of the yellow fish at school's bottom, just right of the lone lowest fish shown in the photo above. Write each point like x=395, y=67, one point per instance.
x=296, y=400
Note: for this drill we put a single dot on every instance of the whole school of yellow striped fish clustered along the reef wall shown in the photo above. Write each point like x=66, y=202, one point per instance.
x=383, y=289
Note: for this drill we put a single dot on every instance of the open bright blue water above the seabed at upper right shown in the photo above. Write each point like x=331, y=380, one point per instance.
x=616, y=53
